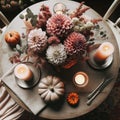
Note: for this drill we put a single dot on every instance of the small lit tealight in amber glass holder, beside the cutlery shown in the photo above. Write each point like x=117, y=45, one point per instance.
x=80, y=79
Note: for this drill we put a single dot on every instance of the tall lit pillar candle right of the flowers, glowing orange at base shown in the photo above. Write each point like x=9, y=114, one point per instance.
x=103, y=52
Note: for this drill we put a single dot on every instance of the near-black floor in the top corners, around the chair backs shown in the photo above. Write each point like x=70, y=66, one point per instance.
x=100, y=6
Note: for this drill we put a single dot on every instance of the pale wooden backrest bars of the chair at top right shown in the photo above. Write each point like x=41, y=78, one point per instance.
x=111, y=10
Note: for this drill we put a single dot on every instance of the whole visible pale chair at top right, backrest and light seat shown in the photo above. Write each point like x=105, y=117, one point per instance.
x=113, y=25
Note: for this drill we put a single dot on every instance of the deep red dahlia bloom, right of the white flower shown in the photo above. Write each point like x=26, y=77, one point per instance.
x=75, y=44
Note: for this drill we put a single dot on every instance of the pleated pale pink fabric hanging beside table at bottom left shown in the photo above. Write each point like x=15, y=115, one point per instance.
x=9, y=109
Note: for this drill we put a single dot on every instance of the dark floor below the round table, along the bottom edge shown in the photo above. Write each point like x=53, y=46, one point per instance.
x=108, y=110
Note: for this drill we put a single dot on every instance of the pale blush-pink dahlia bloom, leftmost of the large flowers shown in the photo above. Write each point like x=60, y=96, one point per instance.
x=37, y=40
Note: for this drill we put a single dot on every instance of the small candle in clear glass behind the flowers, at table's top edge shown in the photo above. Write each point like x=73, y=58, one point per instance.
x=59, y=8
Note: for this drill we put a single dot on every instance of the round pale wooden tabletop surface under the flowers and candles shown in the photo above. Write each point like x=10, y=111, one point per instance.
x=63, y=110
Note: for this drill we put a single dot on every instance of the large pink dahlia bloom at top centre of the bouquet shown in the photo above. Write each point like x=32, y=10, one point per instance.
x=59, y=25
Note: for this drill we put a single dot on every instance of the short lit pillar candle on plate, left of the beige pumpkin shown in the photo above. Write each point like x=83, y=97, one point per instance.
x=23, y=72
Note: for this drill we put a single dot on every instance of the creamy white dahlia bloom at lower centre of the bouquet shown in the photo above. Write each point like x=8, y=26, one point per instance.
x=56, y=54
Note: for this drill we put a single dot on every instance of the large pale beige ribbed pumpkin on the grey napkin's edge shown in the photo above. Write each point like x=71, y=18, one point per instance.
x=51, y=88
